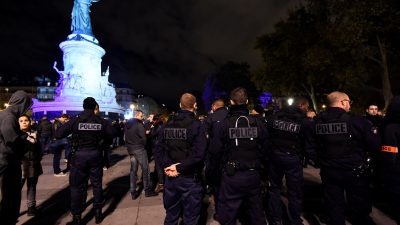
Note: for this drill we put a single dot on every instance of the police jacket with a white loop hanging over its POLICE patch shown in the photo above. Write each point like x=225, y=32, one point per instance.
x=241, y=138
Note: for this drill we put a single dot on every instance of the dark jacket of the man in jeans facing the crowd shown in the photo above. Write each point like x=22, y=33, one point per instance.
x=135, y=135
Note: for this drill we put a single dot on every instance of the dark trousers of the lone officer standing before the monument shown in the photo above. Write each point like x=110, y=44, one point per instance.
x=86, y=164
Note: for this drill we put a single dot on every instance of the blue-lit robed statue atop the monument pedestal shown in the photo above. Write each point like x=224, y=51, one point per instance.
x=80, y=17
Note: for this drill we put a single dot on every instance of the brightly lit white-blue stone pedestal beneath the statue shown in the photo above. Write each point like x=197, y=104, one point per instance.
x=81, y=78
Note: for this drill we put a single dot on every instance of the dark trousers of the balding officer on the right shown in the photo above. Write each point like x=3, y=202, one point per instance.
x=338, y=182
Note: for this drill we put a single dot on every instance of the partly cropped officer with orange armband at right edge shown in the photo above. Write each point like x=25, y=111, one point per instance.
x=390, y=157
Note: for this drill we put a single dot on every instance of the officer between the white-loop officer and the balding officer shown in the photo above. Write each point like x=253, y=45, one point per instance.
x=290, y=137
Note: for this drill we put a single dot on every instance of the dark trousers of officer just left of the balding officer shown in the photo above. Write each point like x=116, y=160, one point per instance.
x=290, y=166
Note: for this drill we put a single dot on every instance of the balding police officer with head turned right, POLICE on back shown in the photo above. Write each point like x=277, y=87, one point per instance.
x=342, y=143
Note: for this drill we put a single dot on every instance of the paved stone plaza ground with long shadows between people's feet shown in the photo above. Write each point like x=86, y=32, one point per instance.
x=53, y=199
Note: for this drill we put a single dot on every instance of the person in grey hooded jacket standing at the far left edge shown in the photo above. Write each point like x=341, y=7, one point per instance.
x=12, y=141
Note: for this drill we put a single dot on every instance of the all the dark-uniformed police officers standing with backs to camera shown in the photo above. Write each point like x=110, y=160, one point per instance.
x=238, y=148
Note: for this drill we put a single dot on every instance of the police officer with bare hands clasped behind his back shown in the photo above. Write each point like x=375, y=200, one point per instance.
x=180, y=152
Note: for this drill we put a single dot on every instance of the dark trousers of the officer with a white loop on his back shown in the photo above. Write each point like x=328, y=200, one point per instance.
x=241, y=188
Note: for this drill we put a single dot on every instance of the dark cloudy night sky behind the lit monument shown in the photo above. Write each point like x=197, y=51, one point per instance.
x=161, y=48
